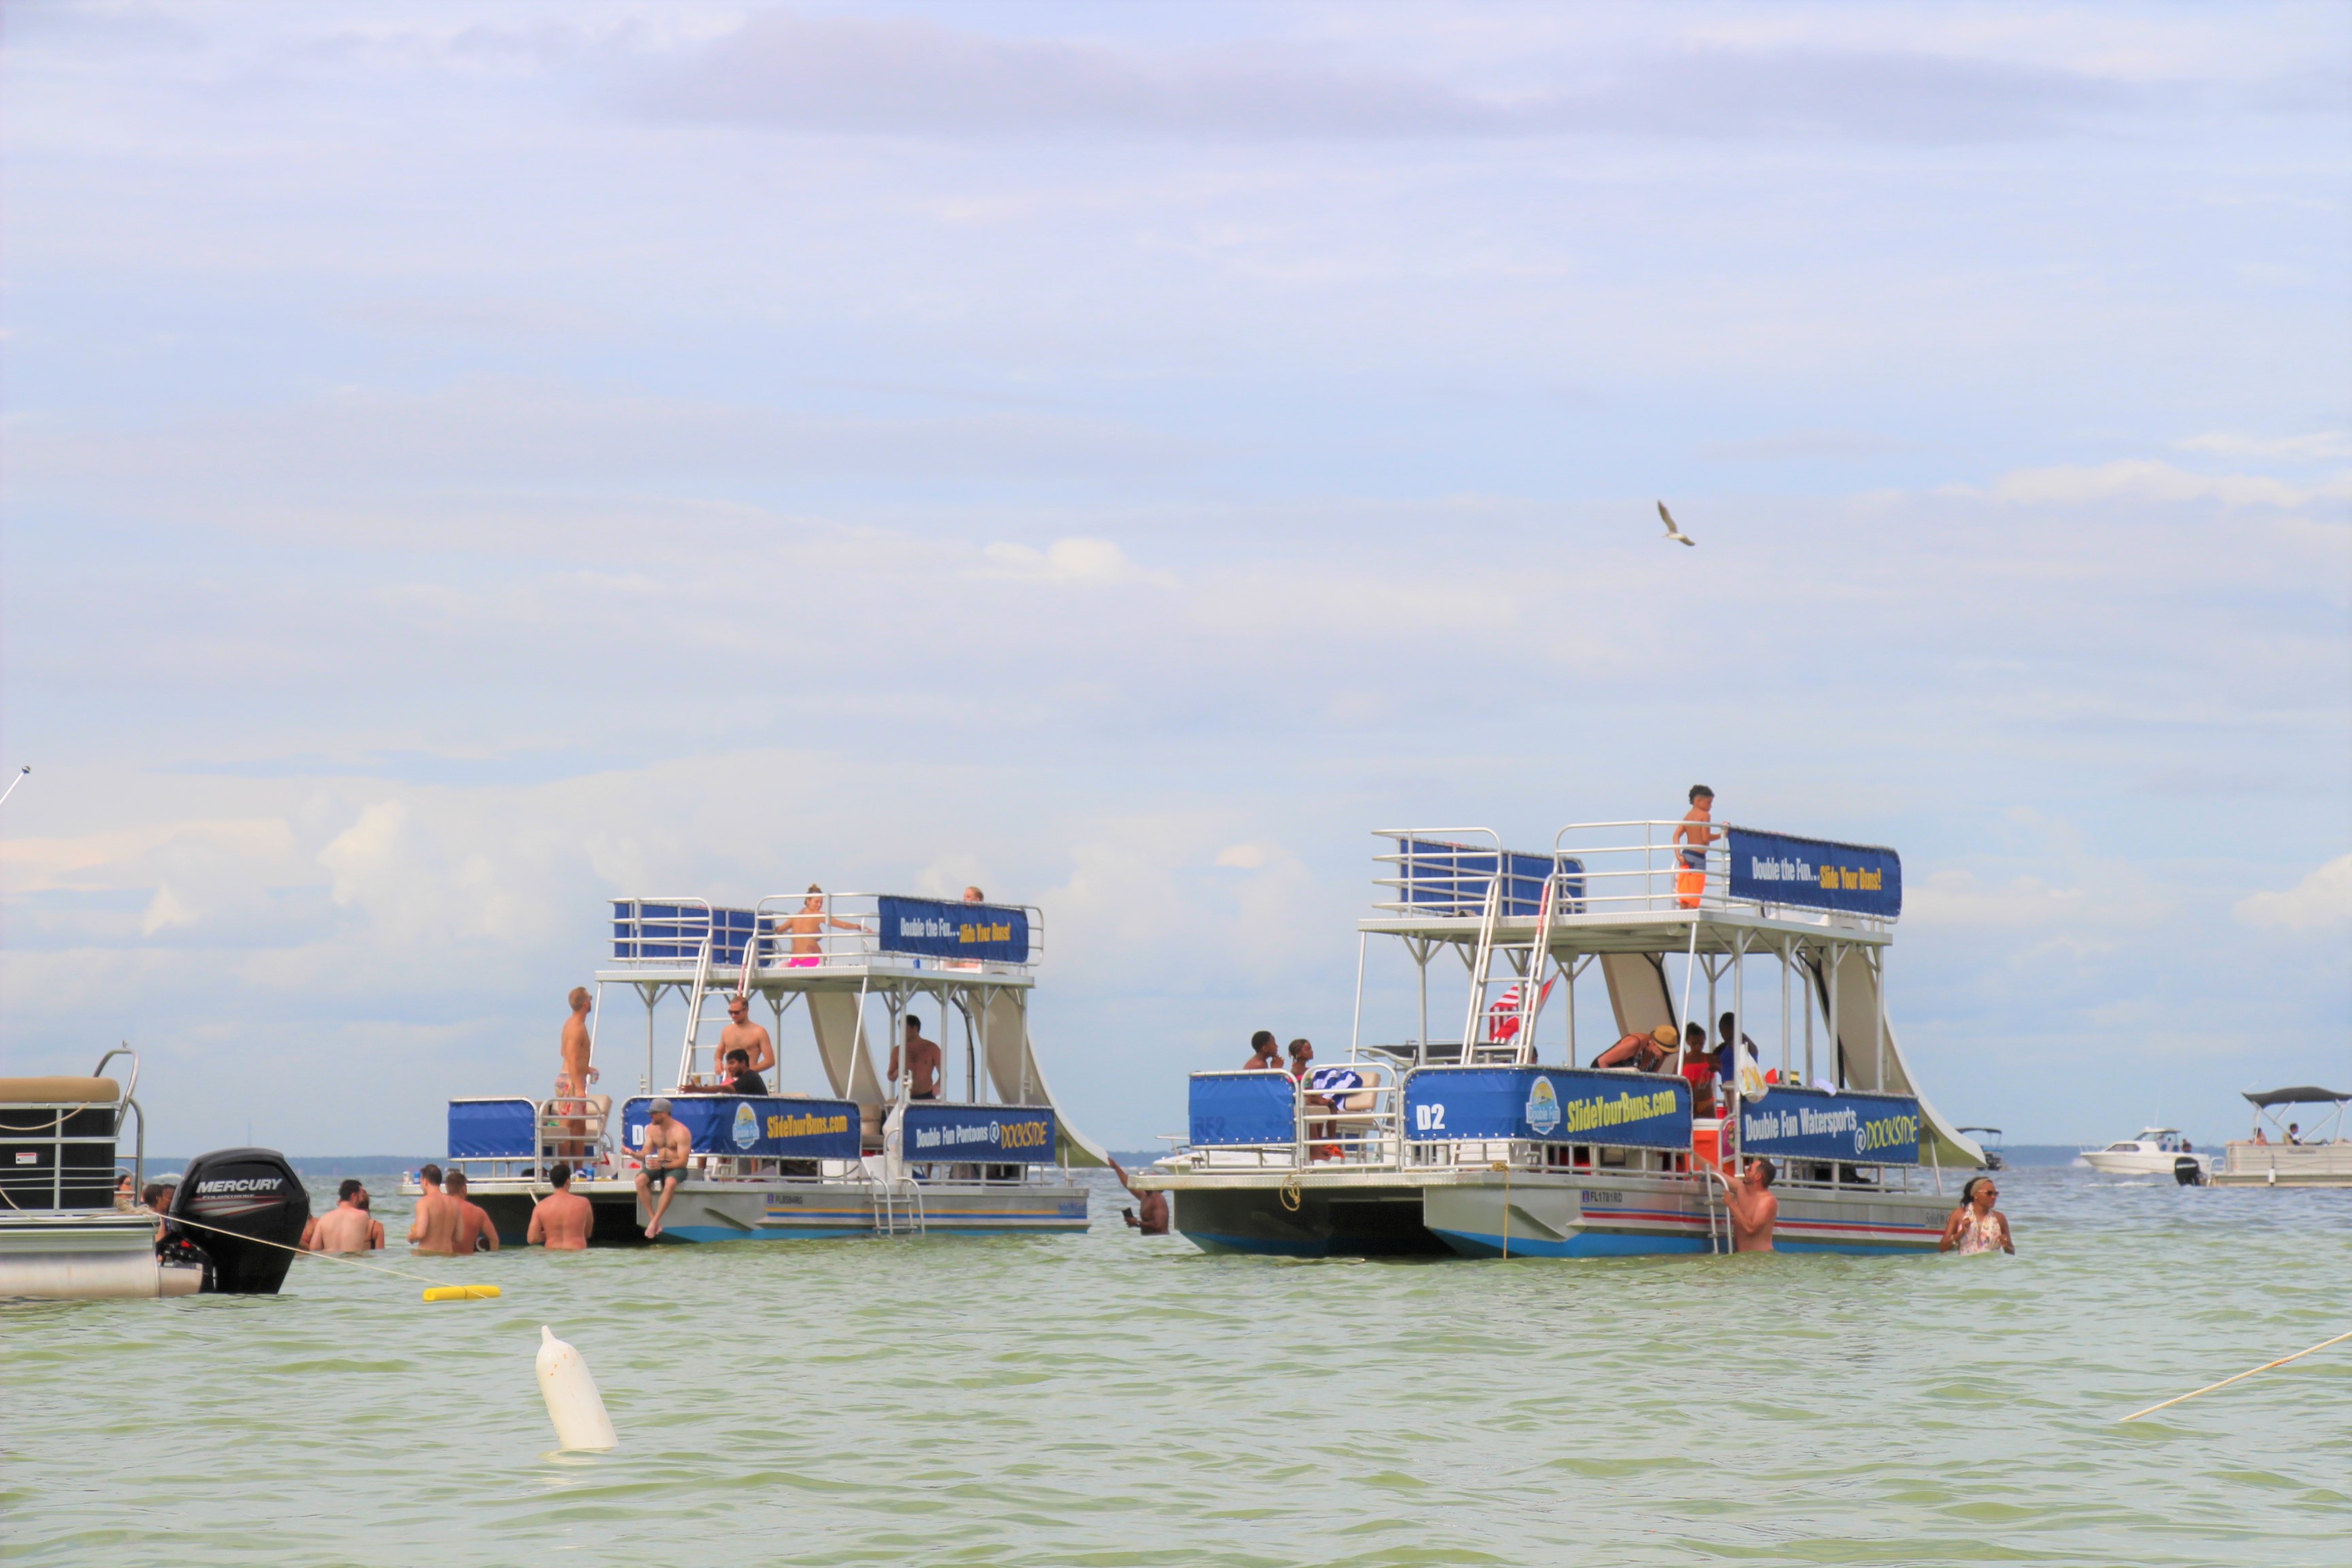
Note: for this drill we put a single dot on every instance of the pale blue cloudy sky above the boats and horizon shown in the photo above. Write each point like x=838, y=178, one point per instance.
x=467, y=464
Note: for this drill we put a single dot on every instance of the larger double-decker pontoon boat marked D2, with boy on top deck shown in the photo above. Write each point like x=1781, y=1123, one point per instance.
x=1488, y=1141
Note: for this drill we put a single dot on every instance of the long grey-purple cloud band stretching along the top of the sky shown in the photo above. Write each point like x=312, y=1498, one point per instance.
x=918, y=79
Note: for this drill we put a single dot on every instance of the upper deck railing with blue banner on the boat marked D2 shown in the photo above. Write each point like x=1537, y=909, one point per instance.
x=1612, y=871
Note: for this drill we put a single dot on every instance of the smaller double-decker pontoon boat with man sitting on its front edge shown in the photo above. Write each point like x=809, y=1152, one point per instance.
x=862, y=1158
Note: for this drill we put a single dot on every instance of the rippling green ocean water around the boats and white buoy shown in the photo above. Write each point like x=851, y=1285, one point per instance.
x=1109, y=1400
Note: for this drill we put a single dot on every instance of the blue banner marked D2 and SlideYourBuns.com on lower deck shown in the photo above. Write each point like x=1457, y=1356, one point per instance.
x=1631, y=1111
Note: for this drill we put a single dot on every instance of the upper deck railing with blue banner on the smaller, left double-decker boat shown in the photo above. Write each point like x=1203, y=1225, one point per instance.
x=827, y=932
